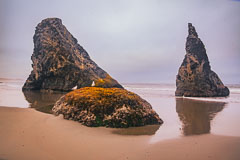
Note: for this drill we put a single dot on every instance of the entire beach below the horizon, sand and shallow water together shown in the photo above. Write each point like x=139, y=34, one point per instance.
x=193, y=128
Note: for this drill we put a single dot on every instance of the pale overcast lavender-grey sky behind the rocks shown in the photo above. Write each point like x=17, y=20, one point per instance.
x=135, y=41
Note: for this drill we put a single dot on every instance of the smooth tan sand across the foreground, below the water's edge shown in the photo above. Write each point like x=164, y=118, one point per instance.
x=26, y=134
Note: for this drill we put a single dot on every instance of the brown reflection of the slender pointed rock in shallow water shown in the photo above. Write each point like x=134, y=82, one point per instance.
x=196, y=115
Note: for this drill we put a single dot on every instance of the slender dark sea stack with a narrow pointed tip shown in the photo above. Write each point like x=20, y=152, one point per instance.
x=195, y=77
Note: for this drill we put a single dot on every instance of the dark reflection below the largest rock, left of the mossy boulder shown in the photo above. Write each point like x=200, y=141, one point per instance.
x=42, y=101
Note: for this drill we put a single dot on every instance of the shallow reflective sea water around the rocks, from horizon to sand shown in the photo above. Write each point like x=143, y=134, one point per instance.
x=181, y=116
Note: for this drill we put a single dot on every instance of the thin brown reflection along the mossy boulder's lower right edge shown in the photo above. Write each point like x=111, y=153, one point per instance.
x=145, y=130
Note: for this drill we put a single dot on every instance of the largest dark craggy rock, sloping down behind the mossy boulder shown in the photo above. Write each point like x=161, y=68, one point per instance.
x=60, y=63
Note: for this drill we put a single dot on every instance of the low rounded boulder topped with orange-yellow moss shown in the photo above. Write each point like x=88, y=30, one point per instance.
x=111, y=107
